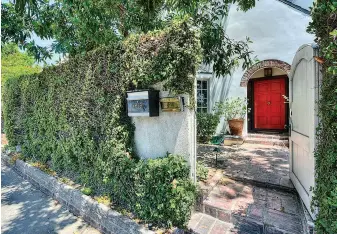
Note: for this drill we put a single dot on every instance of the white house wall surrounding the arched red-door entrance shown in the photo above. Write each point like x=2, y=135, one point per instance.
x=276, y=29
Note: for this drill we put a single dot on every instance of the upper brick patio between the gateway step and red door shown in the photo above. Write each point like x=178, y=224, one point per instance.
x=264, y=164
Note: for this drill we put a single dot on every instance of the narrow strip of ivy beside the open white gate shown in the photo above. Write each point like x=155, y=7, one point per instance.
x=324, y=26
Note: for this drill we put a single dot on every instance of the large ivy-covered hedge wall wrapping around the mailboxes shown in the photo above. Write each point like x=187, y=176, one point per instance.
x=73, y=116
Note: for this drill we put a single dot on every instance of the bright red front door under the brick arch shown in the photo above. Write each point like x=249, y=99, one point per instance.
x=269, y=106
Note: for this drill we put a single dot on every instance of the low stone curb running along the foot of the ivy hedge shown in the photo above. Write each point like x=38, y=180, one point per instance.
x=98, y=215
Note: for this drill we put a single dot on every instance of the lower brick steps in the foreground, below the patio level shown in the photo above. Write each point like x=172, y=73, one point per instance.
x=251, y=209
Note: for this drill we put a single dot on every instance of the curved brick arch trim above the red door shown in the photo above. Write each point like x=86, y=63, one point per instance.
x=273, y=63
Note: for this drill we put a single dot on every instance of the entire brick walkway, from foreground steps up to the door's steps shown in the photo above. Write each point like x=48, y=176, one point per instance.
x=236, y=198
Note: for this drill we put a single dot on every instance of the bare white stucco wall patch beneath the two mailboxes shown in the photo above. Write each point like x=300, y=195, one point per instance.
x=170, y=132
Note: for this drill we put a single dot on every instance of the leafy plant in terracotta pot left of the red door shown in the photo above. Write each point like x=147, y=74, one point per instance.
x=234, y=111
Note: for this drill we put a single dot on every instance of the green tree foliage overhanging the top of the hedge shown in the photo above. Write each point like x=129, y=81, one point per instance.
x=79, y=26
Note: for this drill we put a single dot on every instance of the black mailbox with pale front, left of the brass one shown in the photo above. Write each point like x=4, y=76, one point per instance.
x=143, y=103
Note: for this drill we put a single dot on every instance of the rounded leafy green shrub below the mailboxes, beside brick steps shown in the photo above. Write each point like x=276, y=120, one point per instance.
x=163, y=190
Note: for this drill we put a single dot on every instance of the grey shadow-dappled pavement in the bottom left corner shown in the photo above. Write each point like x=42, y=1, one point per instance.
x=25, y=209
